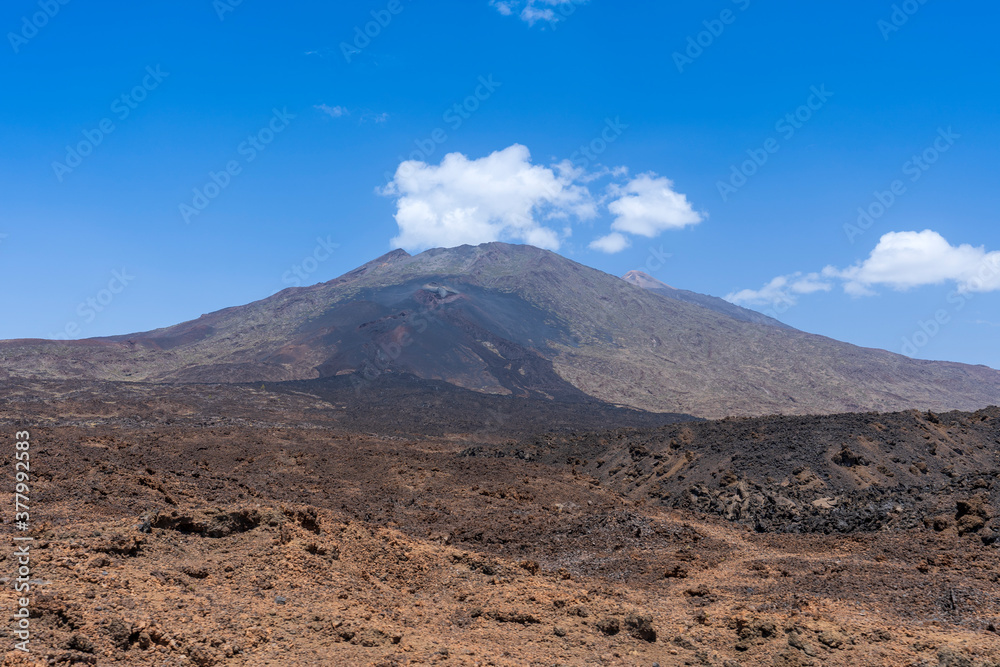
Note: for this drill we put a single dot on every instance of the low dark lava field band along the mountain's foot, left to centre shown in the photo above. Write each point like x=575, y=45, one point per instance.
x=390, y=404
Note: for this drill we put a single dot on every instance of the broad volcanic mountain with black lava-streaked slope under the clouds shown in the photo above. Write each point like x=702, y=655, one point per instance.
x=518, y=320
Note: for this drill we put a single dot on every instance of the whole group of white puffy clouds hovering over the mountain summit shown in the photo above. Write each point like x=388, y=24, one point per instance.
x=504, y=197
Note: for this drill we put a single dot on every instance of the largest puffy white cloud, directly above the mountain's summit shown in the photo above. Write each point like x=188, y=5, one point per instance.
x=500, y=197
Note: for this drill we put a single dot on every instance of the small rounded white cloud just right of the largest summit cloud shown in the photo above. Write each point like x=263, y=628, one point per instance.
x=648, y=206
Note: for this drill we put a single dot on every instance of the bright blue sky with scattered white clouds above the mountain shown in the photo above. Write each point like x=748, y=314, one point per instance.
x=161, y=161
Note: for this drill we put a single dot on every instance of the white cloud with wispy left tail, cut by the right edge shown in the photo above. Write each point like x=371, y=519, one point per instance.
x=900, y=261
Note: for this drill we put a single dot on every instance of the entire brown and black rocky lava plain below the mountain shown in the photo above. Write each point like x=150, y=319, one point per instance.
x=263, y=529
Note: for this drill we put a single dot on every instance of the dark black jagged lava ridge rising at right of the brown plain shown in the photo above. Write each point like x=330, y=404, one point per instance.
x=830, y=474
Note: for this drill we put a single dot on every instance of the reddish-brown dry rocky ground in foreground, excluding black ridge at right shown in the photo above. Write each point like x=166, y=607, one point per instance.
x=242, y=541
